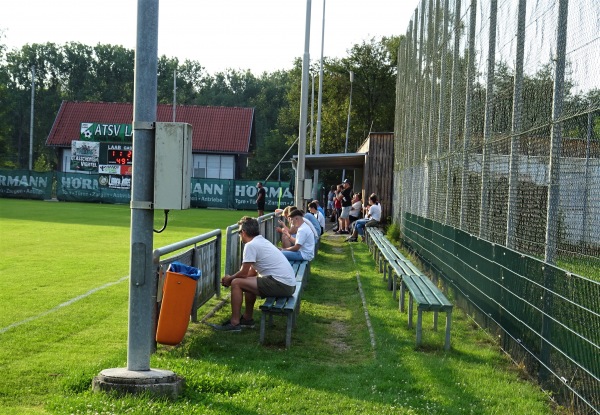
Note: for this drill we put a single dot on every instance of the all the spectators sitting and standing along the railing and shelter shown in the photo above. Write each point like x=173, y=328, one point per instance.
x=266, y=269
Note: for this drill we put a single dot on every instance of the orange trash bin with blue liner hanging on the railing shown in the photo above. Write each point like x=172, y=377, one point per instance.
x=178, y=297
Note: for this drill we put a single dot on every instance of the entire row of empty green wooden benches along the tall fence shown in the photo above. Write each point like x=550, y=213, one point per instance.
x=422, y=290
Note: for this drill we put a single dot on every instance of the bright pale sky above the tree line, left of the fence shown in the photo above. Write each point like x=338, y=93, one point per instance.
x=260, y=35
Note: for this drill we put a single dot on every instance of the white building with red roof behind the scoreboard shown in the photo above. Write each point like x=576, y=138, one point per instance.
x=222, y=136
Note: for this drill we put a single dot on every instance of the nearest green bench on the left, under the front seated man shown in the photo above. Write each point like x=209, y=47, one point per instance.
x=285, y=306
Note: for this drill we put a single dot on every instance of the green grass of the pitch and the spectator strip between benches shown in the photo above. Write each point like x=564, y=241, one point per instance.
x=64, y=320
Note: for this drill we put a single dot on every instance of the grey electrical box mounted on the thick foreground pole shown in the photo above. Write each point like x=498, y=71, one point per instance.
x=172, y=165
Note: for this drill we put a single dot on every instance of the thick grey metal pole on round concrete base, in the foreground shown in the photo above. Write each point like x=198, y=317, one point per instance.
x=138, y=377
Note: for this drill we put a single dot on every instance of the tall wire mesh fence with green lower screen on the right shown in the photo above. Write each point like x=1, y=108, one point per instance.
x=498, y=137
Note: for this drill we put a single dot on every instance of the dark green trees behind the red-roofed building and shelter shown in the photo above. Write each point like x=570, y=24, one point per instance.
x=78, y=72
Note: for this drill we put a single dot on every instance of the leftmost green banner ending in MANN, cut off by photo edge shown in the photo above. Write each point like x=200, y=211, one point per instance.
x=26, y=184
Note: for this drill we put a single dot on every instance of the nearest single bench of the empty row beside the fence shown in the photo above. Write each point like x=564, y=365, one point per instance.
x=428, y=297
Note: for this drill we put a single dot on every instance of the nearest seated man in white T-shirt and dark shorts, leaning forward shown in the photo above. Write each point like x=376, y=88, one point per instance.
x=264, y=272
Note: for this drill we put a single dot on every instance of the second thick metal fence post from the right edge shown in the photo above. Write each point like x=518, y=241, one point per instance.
x=513, y=169
